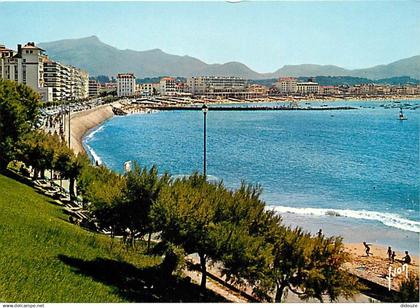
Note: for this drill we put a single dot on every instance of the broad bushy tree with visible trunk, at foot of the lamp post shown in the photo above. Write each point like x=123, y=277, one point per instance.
x=187, y=215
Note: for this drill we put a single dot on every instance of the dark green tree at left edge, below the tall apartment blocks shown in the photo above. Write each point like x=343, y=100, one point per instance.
x=19, y=108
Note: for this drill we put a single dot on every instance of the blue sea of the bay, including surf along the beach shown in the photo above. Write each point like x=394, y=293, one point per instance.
x=352, y=173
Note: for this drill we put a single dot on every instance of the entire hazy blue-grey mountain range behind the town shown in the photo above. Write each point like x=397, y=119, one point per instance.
x=98, y=58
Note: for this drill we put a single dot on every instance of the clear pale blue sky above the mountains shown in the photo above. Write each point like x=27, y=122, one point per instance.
x=263, y=35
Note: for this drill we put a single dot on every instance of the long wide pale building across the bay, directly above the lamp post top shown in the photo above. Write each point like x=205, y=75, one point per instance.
x=217, y=86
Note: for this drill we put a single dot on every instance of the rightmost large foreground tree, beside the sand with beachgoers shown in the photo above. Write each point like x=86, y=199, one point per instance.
x=308, y=266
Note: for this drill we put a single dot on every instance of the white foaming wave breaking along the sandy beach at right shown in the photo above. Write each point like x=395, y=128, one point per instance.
x=388, y=219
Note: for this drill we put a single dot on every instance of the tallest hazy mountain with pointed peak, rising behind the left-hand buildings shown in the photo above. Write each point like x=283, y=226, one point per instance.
x=99, y=58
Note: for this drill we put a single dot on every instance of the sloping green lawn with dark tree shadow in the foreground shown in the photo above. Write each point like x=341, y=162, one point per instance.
x=44, y=258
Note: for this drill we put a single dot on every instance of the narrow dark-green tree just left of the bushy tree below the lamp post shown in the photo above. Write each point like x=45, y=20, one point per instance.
x=141, y=191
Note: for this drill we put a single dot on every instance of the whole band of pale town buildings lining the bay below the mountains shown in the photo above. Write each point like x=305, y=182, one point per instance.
x=57, y=82
